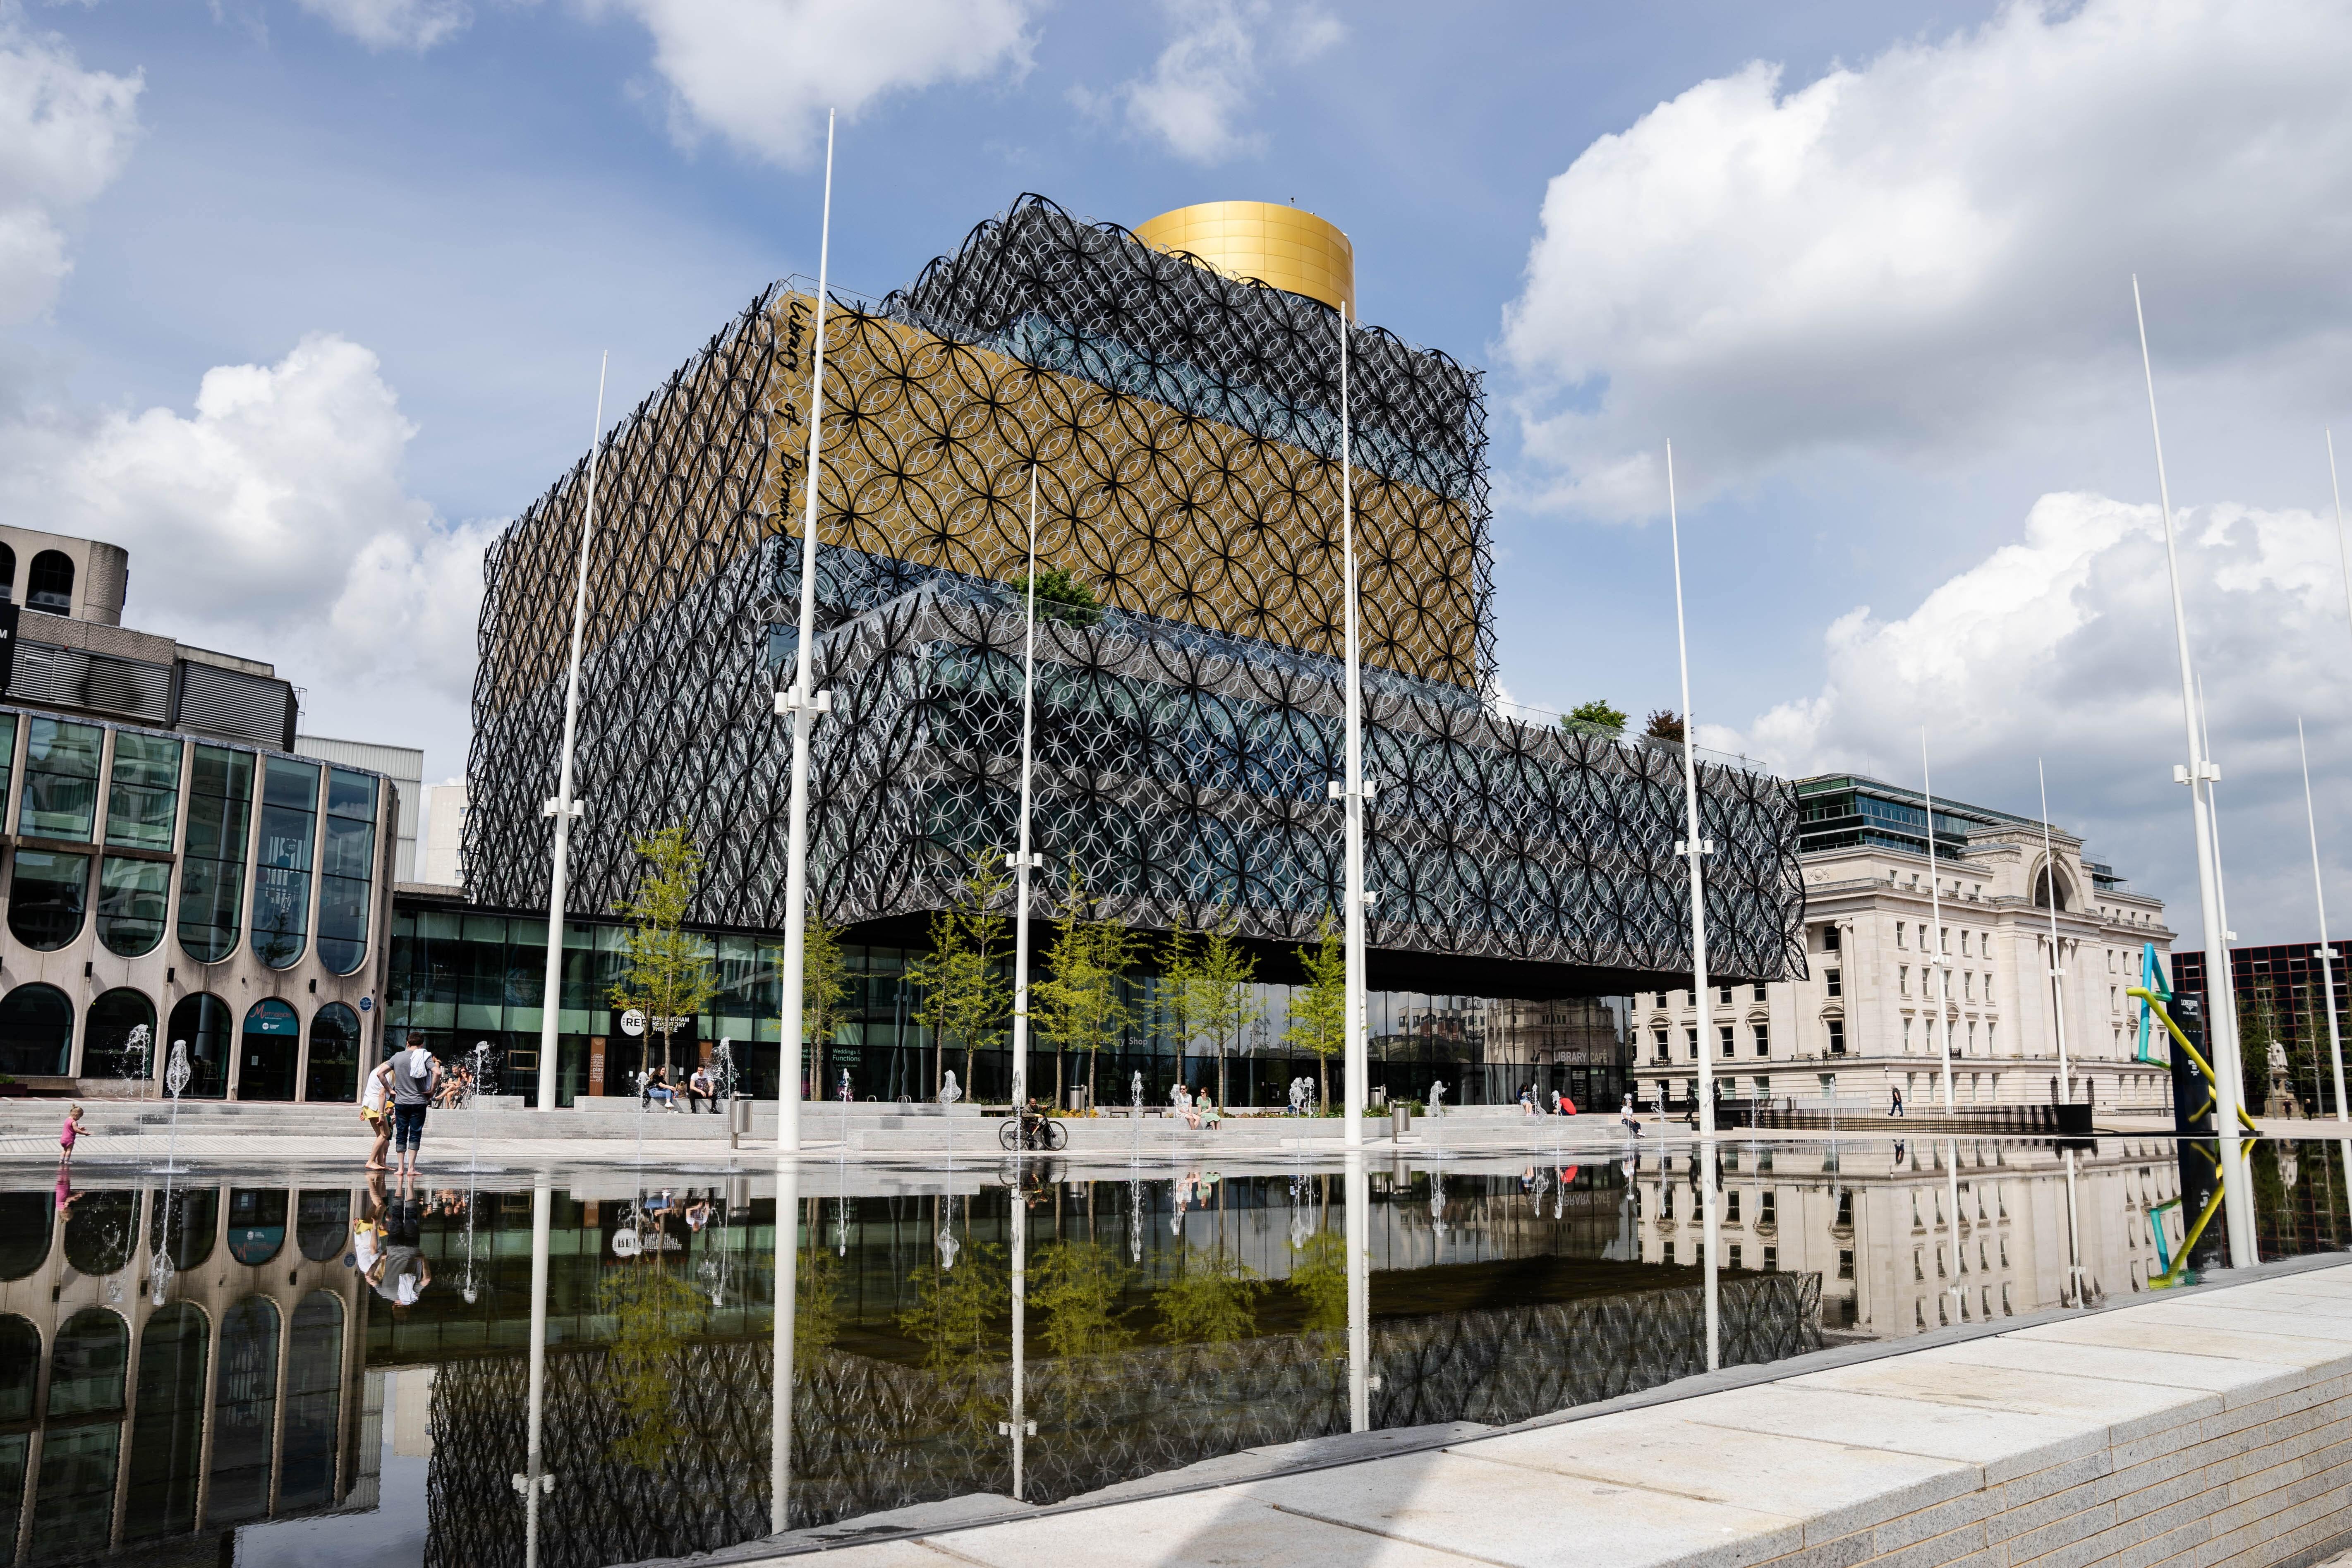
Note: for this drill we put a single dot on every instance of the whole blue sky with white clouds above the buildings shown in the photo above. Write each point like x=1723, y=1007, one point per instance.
x=302, y=300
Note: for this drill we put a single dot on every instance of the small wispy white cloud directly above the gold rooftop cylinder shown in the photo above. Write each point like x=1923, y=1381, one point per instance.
x=1198, y=93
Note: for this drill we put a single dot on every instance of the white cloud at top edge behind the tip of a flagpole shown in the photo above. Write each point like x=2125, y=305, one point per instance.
x=766, y=72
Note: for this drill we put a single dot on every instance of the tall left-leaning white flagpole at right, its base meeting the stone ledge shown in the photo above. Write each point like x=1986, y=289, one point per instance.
x=2221, y=1014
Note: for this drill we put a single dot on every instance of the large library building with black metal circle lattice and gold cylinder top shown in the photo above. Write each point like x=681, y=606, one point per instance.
x=1182, y=424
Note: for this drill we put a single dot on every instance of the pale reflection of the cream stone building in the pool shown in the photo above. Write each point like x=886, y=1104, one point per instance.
x=1885, y=1238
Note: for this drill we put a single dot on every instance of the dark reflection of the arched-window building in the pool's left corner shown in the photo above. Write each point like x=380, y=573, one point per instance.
x=128, y=1423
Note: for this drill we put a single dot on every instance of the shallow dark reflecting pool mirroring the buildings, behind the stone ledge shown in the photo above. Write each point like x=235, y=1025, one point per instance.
x=582, y=1369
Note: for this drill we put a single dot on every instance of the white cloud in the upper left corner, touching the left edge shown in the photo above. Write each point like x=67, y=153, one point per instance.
x=65, y=138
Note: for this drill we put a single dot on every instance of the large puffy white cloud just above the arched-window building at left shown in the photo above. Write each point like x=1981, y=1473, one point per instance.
x=274, y=521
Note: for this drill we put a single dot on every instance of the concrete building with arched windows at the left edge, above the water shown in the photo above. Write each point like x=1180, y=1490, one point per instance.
x=175, y=873
